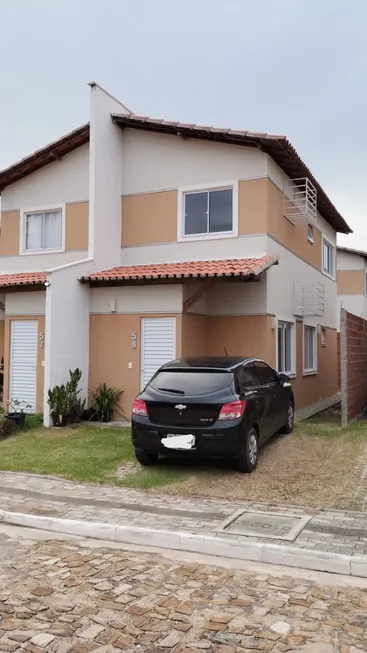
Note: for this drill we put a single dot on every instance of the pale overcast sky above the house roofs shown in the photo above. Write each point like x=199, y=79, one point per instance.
x=294, y=67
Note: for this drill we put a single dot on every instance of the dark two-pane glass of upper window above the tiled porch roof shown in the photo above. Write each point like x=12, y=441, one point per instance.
x=208, y=212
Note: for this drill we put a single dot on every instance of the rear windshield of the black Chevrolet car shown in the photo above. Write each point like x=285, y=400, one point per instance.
x=182, y=383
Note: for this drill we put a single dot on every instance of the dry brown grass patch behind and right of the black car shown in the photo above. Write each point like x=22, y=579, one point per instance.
x=302, y=469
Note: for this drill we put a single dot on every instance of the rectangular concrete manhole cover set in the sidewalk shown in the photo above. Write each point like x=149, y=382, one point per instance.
x=275, y=526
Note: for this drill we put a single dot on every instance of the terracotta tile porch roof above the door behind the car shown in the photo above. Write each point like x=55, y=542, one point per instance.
x=190, y=269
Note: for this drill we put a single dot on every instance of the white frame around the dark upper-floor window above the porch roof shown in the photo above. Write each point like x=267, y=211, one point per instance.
x=225, y=185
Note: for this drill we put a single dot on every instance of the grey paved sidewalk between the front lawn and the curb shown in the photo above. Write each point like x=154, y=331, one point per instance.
x=324, y=530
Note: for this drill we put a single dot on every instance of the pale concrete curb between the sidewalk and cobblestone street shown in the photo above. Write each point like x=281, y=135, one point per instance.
x=276, y=554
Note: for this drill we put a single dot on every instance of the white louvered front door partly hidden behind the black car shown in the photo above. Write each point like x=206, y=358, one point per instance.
x=158, y=345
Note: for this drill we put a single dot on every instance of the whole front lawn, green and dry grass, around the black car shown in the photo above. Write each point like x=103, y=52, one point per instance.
x=317, y=466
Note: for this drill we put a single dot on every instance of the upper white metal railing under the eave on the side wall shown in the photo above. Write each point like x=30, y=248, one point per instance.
x=300, y=200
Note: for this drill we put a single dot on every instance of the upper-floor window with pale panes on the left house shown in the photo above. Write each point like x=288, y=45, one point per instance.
x=42, y=230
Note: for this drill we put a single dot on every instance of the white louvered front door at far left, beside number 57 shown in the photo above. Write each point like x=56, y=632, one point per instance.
x=23, y=362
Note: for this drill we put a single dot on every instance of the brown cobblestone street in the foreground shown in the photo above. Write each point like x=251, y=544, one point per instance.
x=61, y=597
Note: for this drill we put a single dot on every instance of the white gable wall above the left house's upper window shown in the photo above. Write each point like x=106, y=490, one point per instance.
x=59, y=182
